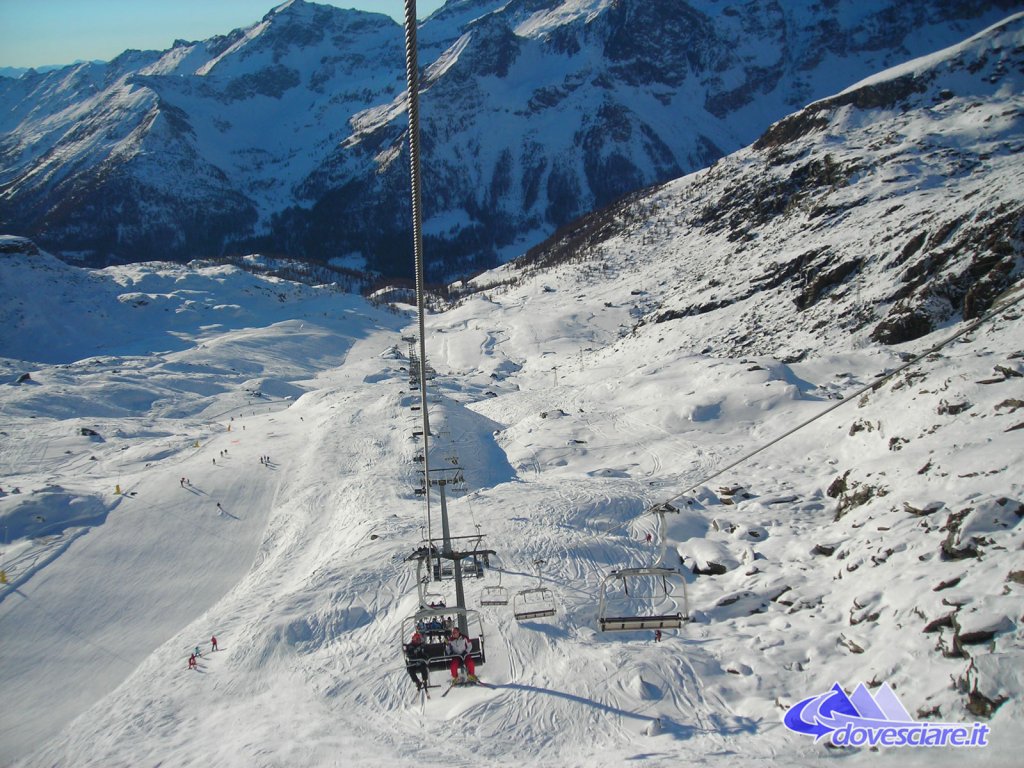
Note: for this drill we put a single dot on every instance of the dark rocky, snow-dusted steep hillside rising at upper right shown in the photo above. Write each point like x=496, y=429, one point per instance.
x=880, y=215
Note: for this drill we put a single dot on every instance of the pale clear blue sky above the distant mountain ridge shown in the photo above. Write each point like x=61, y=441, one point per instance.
x=36, y=33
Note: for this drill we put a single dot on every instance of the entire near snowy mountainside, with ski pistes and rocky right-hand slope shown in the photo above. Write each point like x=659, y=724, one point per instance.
x=655, y=353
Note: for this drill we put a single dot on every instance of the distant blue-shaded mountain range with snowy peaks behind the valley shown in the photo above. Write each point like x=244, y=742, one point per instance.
x=288, y=137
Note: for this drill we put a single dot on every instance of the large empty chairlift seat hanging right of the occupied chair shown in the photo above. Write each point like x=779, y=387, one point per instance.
x=645, y=599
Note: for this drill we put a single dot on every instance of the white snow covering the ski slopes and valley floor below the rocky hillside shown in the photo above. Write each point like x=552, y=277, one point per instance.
x=569, y=432
